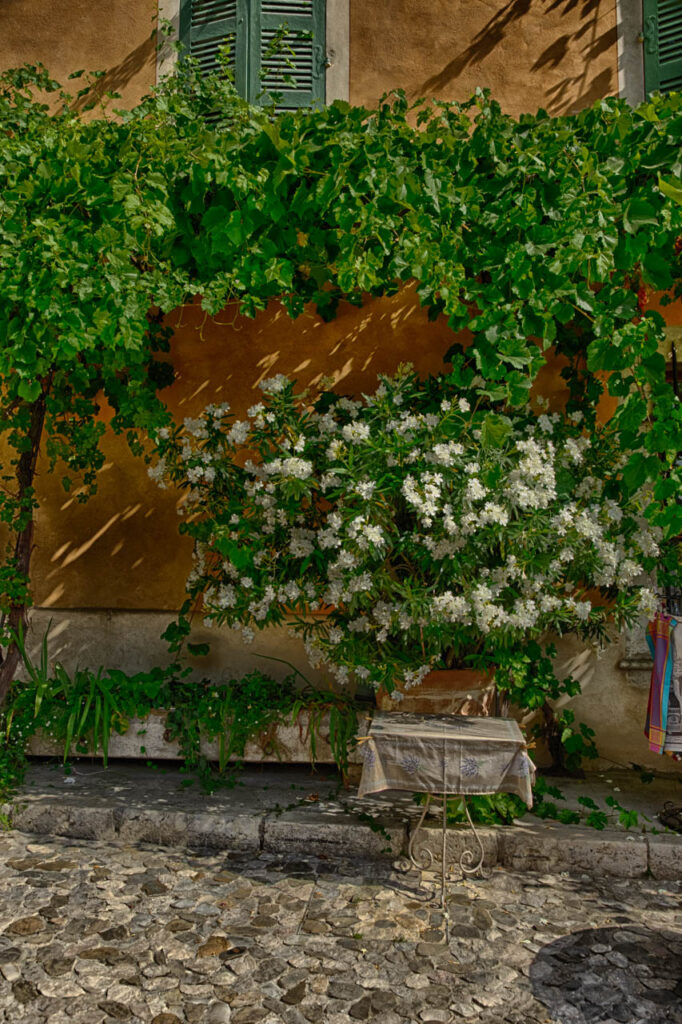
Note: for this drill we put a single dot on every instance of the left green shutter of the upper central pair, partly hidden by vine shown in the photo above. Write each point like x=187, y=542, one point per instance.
x=208, y=25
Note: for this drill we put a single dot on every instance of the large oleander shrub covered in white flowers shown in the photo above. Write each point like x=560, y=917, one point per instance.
x=410, y=530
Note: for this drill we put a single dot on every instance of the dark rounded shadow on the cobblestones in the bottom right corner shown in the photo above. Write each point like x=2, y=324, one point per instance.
x=627, y=974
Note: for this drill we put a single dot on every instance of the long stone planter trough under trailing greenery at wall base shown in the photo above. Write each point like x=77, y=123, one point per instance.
x=145, y=740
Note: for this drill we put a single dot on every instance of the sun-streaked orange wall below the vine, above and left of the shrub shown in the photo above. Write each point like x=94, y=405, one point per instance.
x=122, y=548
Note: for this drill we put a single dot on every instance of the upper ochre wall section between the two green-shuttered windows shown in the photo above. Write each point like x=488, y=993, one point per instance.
x=532, y=54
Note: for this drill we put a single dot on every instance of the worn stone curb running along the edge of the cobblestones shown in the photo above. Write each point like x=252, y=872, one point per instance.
x=527, y=846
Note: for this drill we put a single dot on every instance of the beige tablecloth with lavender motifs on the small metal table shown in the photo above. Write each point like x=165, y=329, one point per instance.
x=450, y=754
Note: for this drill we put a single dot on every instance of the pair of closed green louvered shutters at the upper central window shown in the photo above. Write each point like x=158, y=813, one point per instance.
x=278, y=48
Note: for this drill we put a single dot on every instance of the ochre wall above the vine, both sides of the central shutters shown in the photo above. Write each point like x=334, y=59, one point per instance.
x=562, y=56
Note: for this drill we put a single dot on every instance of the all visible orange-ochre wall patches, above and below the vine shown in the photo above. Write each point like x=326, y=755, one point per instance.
x=122, y=550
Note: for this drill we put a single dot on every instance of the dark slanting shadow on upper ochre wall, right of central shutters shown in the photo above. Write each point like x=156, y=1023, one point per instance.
x=589, y=40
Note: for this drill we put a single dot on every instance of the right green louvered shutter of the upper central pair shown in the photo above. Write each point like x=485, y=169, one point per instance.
x=292, y=72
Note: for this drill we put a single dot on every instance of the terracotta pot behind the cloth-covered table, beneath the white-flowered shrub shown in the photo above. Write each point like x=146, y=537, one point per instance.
x=447, y=692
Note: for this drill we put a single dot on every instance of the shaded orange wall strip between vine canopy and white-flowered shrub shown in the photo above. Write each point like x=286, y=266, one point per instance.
x=226, y=358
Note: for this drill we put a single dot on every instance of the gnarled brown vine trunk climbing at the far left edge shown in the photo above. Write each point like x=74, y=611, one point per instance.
x=18, y=617
